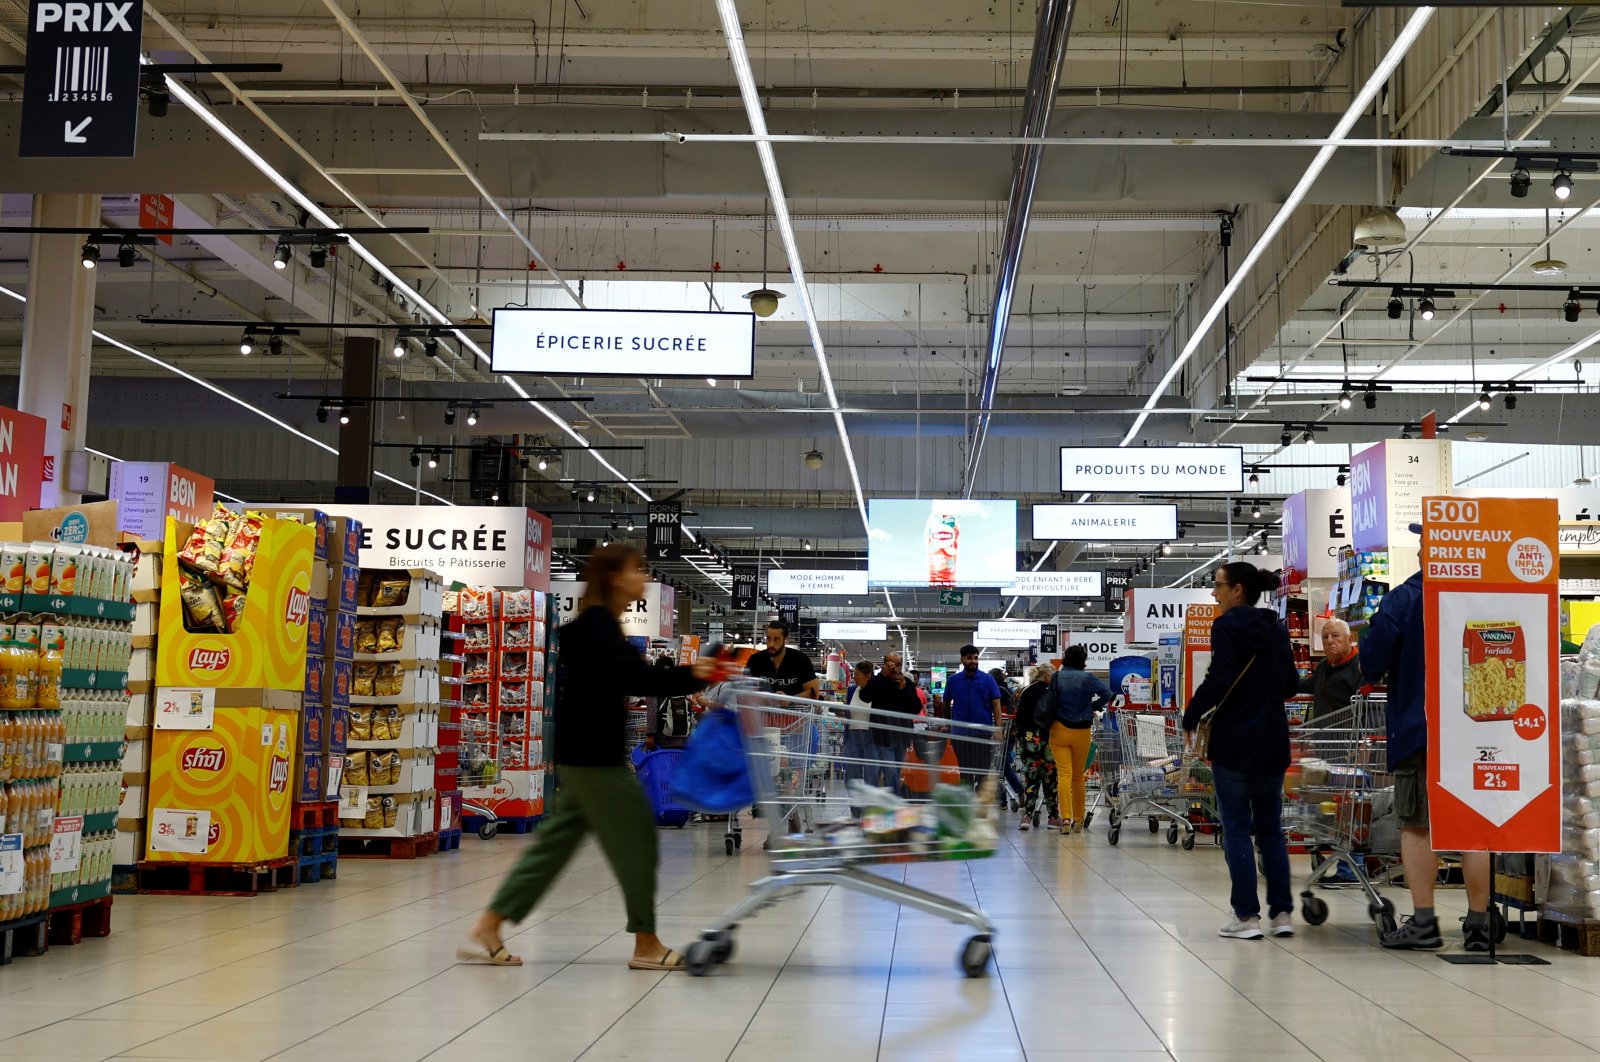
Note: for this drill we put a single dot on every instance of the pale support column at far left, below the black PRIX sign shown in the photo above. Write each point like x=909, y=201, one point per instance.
x=57, y=335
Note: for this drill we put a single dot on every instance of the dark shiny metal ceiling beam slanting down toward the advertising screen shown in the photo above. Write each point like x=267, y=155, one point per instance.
x=1044, y=79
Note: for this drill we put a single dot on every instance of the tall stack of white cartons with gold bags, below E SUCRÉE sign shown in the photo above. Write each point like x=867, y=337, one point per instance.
x=388, y=804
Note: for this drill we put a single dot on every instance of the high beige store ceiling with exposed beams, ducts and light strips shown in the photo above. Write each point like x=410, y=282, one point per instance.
x=598, y=153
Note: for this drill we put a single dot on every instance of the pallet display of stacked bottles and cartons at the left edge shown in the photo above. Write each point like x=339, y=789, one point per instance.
x=65, y=649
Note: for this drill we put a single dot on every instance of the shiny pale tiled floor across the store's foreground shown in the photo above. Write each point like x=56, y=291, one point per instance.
x=1103, y=954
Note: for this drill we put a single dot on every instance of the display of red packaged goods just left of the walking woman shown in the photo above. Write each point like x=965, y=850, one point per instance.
x=505, y=701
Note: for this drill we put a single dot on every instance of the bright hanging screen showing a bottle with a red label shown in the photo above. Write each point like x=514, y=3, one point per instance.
x=942, y=543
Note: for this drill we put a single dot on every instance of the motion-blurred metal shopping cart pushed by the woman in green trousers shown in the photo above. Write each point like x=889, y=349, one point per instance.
x=954, y=820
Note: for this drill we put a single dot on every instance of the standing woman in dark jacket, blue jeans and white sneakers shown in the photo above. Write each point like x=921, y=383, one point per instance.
x=1244, y=690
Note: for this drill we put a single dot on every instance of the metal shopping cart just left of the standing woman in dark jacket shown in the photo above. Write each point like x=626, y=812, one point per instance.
x=1145, y=773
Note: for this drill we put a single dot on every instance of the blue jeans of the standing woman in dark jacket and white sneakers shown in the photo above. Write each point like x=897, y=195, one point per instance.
x=1252, y=807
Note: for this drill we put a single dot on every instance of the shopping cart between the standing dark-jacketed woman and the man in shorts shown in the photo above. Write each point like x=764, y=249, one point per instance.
x=1345, y=812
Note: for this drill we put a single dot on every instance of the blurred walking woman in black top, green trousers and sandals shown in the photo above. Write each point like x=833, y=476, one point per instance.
x=596, y=791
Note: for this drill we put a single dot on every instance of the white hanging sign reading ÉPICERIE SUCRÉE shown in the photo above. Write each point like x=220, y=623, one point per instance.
x=625, y=343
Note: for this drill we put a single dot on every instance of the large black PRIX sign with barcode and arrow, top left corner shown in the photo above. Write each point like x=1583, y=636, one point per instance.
x=81, y=97
